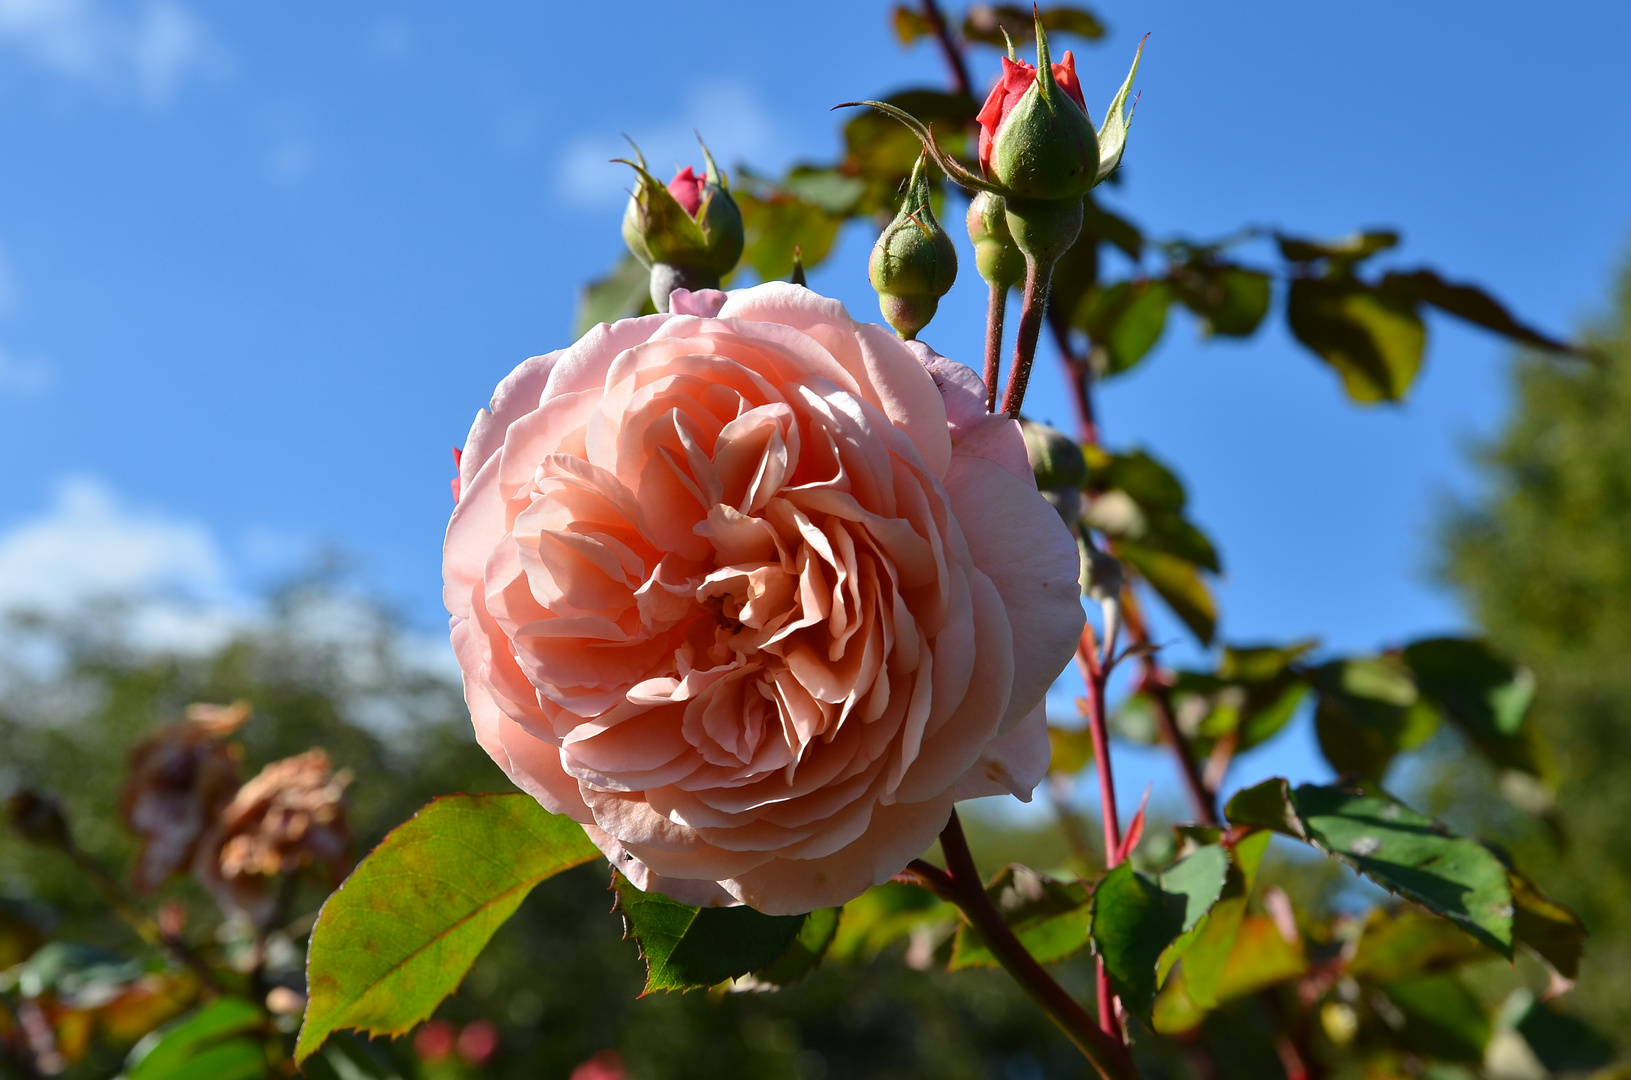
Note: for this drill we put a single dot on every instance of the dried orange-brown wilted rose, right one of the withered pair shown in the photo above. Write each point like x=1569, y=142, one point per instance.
x=288, y=818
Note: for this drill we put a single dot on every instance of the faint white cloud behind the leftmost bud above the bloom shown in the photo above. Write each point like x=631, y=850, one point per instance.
x=728, y=115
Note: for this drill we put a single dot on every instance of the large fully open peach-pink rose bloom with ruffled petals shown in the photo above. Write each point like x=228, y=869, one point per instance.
x=756, y=593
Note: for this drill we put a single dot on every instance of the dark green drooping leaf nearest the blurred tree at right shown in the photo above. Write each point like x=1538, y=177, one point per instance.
x=1483, y=696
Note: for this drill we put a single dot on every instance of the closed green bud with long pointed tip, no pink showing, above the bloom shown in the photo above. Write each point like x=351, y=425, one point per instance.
x=914, y=262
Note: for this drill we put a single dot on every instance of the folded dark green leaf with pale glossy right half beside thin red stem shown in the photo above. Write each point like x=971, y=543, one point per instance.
x=1138, y=916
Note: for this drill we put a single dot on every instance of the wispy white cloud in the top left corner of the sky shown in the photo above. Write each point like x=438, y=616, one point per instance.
x=107, y=46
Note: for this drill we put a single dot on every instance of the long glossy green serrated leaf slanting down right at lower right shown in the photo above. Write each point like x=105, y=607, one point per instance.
x=1395, y=848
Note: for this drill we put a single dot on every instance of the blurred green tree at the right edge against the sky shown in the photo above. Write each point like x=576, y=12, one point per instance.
x=1544, y=562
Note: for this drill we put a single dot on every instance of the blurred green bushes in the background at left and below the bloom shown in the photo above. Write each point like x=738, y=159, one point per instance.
x=559, y=980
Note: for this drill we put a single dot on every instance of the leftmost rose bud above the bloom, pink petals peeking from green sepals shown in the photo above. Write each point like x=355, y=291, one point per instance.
x=687, y=232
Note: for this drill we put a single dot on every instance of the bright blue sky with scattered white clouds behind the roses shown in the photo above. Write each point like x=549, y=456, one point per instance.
x=262, y=263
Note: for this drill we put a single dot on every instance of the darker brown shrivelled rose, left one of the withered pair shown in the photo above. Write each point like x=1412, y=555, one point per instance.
x=179, y=782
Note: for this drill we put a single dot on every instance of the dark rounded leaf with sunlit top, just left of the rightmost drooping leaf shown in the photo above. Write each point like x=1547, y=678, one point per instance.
x=1369, y=712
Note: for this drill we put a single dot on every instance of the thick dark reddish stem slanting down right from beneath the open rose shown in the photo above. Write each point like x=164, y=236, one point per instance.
x=963, y=887
